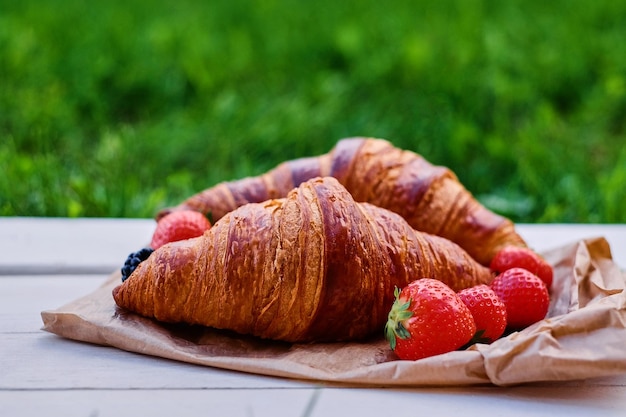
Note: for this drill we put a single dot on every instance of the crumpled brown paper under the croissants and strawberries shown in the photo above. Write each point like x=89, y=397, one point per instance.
x=583, y=337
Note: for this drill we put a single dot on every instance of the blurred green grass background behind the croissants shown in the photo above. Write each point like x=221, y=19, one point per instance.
x=119, y=108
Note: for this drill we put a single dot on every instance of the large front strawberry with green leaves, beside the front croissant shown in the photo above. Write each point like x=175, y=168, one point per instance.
x=426, y=319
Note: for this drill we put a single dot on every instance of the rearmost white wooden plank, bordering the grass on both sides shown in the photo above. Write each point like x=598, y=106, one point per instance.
x=83, y=246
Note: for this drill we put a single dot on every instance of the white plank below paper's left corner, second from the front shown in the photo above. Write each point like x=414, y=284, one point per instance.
x=42, y=361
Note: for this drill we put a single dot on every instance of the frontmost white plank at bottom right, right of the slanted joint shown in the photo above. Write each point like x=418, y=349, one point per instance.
x=467, y=402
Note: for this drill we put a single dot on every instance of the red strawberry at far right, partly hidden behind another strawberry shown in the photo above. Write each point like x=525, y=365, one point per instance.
x=517, y=257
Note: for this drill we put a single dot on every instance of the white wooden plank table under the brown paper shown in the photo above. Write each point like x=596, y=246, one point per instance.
x=45, y=263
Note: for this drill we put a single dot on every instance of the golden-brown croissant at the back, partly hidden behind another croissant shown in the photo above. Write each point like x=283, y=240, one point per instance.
x=429, y=197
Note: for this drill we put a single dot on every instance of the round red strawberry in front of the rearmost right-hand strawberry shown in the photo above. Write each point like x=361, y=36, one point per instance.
x=525, y=296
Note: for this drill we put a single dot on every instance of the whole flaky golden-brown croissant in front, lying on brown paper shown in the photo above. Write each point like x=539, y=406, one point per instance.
x=314, y=266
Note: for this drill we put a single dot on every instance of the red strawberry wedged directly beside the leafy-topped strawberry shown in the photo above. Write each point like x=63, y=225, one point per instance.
x=488, y=310
